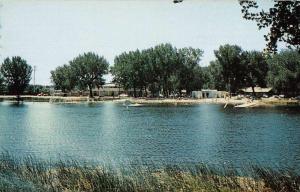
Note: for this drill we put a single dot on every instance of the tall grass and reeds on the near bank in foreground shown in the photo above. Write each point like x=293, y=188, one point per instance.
x=30, y=174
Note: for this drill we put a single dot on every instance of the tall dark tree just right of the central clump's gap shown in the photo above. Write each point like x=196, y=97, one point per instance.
x=232, y=70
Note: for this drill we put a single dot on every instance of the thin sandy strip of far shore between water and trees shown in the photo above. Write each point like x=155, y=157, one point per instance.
x=265, y=102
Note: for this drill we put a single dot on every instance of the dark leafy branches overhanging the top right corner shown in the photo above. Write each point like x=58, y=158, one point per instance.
x=283, y=21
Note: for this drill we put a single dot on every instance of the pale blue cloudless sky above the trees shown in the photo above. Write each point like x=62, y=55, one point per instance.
x=49, y=33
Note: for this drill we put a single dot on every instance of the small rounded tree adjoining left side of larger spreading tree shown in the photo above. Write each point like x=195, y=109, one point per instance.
x=63, y=78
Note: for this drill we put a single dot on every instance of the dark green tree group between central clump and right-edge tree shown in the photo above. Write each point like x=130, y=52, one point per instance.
x=235, y=69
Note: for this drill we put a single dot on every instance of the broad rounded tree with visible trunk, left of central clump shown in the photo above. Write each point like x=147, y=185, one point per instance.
x=89, y=69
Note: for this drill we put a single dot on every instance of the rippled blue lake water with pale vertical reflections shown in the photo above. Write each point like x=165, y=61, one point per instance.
x=109, y=132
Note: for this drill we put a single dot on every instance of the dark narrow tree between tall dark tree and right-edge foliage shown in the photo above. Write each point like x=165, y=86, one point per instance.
x=256, y=69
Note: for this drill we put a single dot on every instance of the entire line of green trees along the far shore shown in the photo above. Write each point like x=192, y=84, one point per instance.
x=167, y=70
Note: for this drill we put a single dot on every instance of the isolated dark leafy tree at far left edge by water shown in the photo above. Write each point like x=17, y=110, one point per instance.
x=17, y=74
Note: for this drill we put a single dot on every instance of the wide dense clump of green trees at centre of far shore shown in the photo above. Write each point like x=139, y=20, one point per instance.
x=160, y=68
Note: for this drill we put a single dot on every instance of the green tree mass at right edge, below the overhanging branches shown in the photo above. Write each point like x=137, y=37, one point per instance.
x=284, y=72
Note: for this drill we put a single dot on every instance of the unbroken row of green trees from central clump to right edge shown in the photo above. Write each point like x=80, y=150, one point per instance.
x=170, y=70
